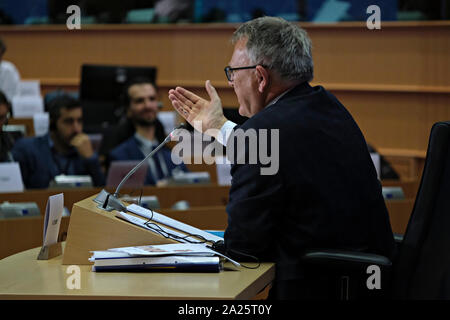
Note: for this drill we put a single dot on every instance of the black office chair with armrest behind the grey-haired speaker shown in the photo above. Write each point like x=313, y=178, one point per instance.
x=421, y=267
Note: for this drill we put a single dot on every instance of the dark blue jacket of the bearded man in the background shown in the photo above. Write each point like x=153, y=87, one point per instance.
x=129, y=150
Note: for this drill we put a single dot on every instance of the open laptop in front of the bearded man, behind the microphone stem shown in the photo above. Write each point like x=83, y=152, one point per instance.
x=119, y=169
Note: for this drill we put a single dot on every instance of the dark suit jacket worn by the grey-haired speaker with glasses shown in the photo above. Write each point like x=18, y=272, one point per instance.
x=325, y=194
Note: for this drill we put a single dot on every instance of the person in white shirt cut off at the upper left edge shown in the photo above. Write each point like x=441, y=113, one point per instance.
x=9, y=76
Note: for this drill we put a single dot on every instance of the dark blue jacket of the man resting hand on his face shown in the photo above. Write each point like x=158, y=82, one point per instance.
x=38, y=166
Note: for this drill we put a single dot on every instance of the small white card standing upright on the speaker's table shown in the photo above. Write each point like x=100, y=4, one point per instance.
x=52, y=221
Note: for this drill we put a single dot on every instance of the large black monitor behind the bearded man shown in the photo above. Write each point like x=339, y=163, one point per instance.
x=101, y=88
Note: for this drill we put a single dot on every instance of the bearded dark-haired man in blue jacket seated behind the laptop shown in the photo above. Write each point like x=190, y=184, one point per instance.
x=142, y=111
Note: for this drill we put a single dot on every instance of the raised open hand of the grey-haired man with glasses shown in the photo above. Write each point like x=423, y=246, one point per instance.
x=200, y=113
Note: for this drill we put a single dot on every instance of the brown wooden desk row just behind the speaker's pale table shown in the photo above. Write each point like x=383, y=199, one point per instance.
x=207, y=210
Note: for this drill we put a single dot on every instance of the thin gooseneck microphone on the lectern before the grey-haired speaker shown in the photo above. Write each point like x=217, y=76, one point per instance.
x=109, y=201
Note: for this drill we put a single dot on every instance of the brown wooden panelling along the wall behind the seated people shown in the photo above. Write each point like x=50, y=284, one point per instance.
x=395, y=81
